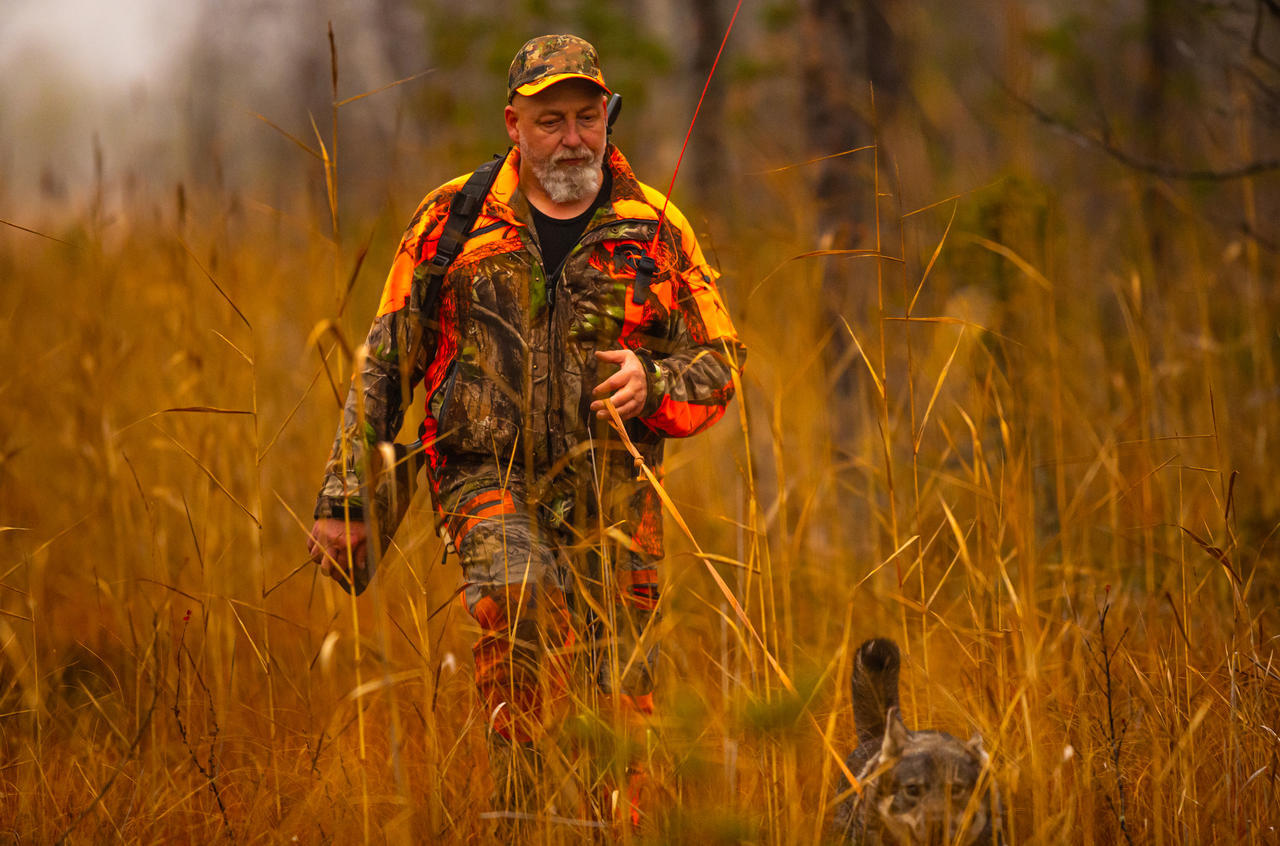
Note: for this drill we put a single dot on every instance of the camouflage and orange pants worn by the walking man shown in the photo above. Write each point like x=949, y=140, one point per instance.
x=566, y=609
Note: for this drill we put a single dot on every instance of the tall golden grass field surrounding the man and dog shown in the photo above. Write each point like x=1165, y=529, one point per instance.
x=1044, y=469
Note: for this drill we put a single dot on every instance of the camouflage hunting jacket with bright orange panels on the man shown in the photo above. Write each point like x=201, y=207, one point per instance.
x=509, y=364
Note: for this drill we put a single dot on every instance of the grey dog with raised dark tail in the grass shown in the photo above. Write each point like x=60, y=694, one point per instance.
x=917, y=786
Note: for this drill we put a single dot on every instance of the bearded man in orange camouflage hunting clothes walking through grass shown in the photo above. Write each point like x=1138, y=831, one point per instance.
x=540, y=328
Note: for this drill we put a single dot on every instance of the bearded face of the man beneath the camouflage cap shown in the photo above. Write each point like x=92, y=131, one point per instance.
x=561, y=134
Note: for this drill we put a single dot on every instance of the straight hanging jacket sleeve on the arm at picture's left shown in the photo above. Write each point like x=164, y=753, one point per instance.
x=392, y=362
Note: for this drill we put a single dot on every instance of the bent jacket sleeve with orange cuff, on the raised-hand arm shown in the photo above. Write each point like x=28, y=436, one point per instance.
x=691, y=381
